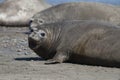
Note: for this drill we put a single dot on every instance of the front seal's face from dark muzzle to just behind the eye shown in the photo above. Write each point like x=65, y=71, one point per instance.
x=38, y=42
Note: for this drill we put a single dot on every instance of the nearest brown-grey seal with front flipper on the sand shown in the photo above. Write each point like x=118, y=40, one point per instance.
x=89, y=42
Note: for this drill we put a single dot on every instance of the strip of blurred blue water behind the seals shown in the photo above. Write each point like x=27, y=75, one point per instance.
x=54, y=2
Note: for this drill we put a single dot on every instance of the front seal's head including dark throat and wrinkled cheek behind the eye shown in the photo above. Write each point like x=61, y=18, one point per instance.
x=42, y=43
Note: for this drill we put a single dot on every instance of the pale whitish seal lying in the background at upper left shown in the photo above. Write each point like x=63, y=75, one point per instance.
x=19, y=12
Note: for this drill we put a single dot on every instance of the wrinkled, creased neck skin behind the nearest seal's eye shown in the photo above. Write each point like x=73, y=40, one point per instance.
x=54, y=38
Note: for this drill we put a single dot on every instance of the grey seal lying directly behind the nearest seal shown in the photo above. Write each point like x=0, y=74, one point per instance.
x=77, y=11
